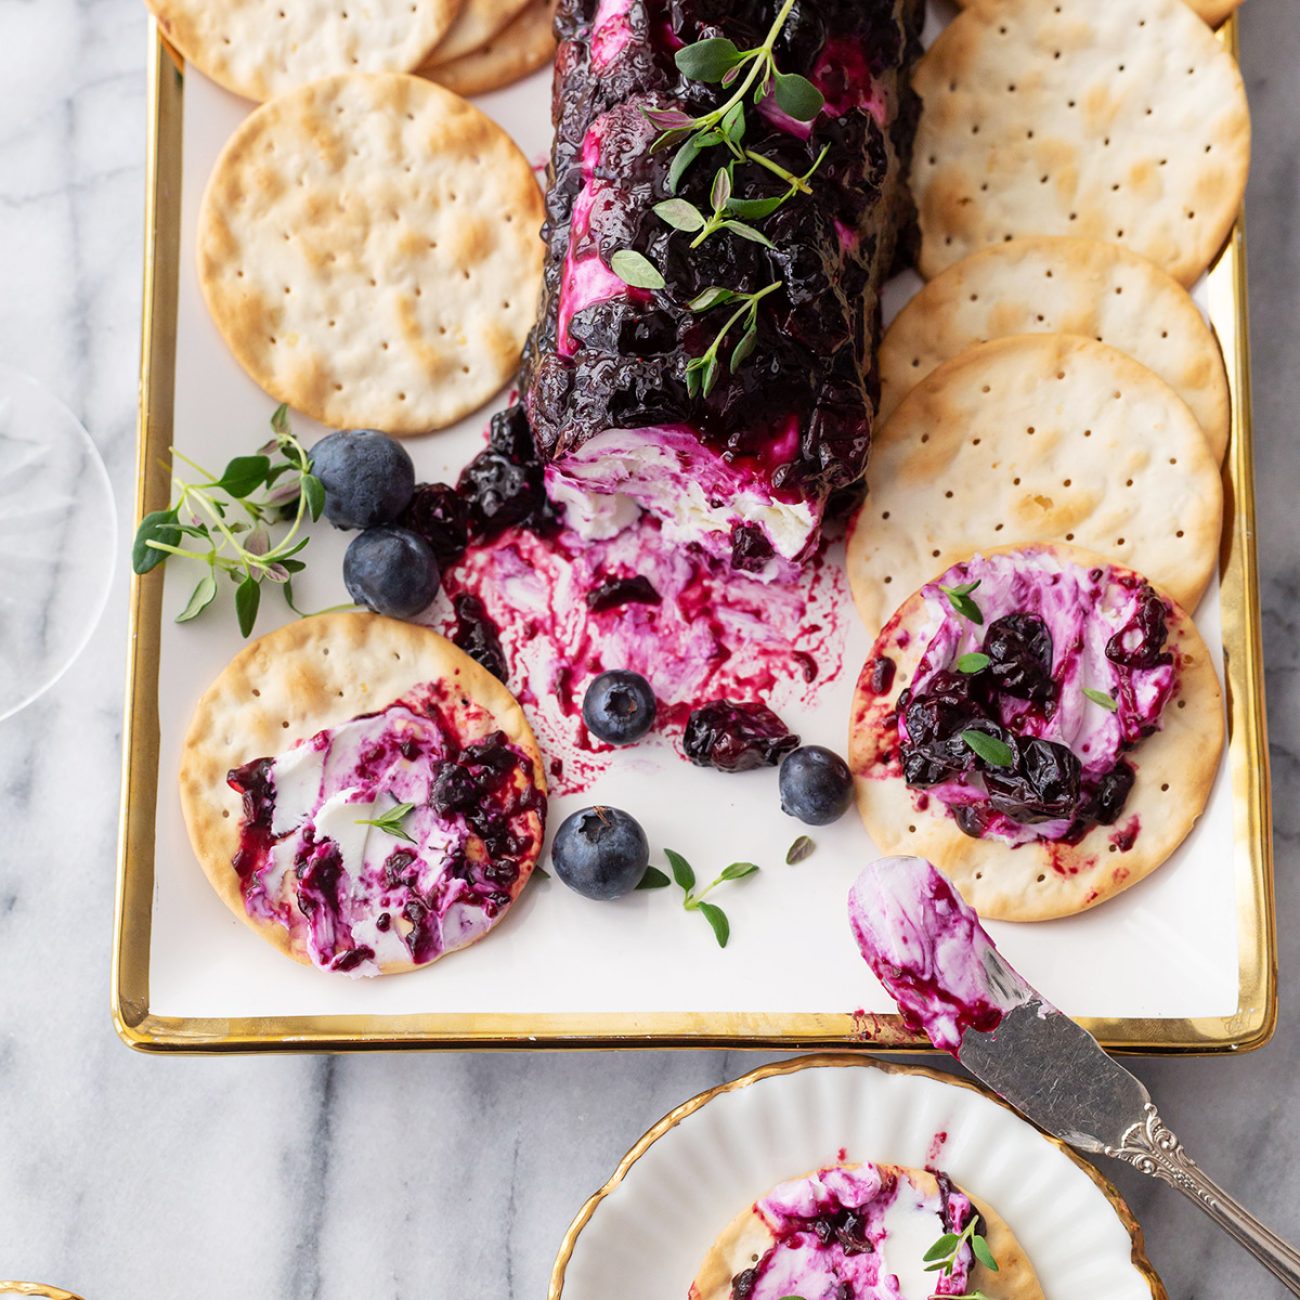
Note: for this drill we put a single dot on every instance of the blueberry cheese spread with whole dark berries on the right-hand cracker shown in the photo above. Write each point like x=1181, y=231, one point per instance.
x=1068, y=673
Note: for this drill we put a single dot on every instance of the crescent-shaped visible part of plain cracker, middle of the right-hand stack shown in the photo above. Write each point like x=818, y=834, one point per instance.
x=1061, y=287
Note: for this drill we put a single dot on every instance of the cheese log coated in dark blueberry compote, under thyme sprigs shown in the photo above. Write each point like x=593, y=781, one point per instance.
x=746, y=470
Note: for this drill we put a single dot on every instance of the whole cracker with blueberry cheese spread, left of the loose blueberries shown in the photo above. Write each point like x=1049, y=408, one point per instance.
x=363, y=794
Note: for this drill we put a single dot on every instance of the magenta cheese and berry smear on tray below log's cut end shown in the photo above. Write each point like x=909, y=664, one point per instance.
x=549, y=608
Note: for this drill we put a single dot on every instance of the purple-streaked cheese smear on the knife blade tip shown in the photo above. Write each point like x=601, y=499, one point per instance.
x=930, y=951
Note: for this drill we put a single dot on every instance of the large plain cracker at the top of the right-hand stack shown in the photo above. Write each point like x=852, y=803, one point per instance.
x=1124, y=122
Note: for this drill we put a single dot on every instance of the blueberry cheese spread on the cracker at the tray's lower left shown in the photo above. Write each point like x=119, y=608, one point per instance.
x=357, y=896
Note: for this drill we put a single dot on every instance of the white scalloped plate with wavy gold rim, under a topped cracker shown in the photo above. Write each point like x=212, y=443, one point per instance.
x=644, y=1234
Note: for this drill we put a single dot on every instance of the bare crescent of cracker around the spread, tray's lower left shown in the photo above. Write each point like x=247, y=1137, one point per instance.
x=298, y=681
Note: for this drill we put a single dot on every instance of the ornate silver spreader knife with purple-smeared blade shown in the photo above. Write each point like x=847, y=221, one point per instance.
x=929, y=950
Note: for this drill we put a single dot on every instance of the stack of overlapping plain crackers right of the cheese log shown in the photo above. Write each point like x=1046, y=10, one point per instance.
x=1077, y=166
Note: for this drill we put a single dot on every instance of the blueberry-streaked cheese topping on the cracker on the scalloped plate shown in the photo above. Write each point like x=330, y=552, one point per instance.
x=856, y=1233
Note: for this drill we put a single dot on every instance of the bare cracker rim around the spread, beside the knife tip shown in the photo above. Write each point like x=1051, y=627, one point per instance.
x=1042, y=881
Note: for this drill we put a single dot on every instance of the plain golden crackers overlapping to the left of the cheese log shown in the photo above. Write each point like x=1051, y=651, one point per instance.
x=369, y=242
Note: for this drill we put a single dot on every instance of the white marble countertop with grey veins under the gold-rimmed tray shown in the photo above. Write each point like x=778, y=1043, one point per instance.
x=305, y=1178
